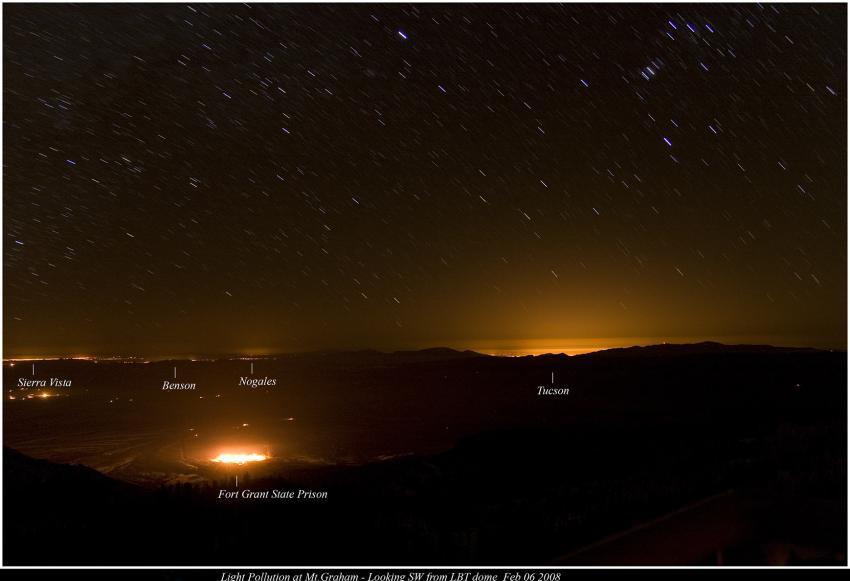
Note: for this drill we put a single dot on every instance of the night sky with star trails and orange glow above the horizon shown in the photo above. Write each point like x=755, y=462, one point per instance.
x=254, y=179
